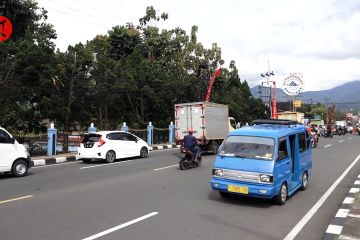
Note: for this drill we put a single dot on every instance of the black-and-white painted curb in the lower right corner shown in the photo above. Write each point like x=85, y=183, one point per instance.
x=336, y=226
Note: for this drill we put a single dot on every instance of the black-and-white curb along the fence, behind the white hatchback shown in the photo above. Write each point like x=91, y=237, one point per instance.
x=43, y=161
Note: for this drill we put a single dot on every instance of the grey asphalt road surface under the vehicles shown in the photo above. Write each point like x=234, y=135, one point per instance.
x=152, y=199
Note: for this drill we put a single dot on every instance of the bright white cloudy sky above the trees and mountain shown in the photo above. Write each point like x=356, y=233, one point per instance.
x=319, y=38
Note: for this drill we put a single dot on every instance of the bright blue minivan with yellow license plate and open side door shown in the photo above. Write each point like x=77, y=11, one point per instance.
x=270, y=159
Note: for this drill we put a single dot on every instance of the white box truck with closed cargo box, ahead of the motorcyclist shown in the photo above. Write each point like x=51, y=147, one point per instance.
x=210, y=121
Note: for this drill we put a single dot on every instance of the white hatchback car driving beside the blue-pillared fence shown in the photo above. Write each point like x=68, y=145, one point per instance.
x=111, y=145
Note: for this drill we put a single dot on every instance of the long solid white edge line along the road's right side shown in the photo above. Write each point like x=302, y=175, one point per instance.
x=295, y=231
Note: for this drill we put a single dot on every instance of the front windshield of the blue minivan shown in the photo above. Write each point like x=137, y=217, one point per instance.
x=248, y=147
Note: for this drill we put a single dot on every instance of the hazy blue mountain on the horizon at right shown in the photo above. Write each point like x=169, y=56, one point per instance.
x=346, y=96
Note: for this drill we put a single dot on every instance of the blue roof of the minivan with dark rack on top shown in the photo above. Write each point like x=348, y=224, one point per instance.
x=269, y=130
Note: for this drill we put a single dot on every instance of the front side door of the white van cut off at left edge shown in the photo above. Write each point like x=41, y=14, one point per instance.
x=8, y=151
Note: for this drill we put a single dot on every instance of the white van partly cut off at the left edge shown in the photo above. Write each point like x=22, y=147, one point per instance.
x=14, y=157
